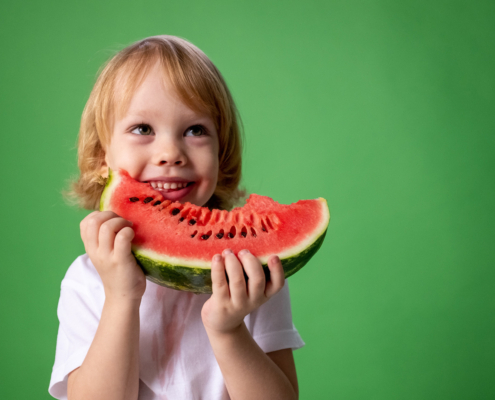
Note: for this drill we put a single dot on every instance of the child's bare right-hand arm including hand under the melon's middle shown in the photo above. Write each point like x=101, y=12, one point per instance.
x=249, y=373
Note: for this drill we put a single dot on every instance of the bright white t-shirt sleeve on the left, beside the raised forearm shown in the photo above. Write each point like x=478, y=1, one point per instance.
x=79, y=310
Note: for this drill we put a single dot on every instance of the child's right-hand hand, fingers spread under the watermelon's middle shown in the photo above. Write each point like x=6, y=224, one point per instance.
x=232, y=301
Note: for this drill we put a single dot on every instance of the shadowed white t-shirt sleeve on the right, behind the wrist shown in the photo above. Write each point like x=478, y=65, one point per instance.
x=271, y=324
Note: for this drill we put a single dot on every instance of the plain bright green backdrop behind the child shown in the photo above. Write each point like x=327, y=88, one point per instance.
x=385, y=108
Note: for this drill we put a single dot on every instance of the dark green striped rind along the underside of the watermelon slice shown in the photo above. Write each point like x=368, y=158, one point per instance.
x=198, y=280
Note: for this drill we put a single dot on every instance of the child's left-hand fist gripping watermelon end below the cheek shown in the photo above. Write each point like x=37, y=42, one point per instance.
x=107, y=240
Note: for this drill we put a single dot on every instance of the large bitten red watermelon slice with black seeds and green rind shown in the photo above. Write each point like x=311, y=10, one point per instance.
x=174, y=243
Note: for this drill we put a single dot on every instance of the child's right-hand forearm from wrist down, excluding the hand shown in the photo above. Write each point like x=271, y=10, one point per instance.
x=248, y=372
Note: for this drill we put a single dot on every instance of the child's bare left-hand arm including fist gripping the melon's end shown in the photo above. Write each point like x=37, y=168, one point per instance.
x=111, y=367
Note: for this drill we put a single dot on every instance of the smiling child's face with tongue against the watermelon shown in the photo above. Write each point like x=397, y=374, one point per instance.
x=162, y=141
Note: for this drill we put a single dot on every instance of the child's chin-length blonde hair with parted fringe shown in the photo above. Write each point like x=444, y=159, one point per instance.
x=198, y=83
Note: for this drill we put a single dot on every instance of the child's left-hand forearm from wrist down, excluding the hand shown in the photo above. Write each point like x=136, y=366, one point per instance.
x=111, y=367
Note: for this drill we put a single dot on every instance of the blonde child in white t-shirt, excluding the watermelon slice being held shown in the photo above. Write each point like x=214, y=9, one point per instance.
x=161, y=110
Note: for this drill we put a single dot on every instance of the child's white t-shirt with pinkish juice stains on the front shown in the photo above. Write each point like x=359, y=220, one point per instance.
x=176, y=358
